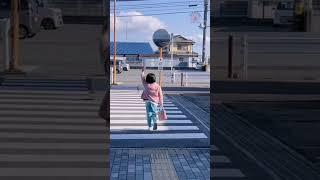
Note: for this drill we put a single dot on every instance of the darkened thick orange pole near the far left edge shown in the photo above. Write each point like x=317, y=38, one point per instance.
x=13, y=65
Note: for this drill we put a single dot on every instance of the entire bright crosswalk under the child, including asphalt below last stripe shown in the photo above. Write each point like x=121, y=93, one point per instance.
x=128, y=122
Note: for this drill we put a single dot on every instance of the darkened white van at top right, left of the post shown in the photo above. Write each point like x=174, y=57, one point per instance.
x=284, y=13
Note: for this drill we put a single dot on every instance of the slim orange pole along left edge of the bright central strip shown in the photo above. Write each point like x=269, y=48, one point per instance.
x=114, y=45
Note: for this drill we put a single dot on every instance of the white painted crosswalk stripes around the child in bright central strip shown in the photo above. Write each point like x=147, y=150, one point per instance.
x=128, y=115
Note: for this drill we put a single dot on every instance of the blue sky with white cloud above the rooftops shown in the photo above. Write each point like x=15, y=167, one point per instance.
x=140, y=28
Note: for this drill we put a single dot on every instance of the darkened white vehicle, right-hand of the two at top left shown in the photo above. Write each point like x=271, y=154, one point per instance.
x=51, y=18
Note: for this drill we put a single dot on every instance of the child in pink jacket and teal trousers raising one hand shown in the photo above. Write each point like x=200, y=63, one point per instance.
x=153, y=97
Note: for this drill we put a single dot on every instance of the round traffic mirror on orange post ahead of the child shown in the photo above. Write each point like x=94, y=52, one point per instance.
x=161, y=38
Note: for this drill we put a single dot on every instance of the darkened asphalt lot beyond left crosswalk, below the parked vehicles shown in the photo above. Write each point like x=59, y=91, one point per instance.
x=72, y=50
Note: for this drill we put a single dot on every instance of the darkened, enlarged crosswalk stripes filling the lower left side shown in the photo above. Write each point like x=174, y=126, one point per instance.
x=50, y=130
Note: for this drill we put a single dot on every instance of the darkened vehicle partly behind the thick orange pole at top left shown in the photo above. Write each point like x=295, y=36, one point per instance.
x=29, y=17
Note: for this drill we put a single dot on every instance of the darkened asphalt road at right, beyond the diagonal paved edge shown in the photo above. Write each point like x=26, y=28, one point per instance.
x=288, y=111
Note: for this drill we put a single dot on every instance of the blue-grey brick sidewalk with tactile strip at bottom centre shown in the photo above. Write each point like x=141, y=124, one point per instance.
x=159, y=164
